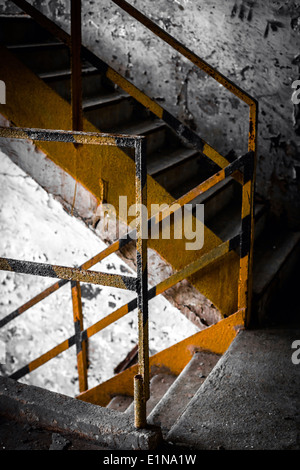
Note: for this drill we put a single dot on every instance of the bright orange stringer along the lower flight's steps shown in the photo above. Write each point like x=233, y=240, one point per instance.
x=216, y=338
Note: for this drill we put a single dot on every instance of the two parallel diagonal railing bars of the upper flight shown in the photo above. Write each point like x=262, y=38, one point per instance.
x=181, y=129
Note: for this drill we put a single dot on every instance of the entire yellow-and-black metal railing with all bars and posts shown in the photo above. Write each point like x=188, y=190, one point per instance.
x=243, y=169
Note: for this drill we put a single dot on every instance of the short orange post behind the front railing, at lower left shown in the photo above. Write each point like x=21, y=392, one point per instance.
x=81, y=346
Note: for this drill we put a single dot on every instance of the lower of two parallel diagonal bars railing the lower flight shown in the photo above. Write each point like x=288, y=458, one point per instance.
x=195, y=266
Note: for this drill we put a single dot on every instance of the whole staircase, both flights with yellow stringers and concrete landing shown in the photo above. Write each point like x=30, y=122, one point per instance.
x=182, y=404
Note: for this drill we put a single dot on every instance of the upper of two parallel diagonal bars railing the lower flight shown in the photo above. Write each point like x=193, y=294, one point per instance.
x=115, y=246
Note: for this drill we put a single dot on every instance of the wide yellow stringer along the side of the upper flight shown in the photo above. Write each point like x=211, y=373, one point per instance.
x=31, y=103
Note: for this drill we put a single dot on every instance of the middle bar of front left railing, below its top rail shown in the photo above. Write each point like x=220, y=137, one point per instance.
x=68, y=273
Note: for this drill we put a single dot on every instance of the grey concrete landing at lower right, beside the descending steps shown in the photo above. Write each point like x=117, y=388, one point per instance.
x=250, y=400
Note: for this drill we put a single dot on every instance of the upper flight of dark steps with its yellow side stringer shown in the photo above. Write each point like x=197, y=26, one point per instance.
x=173, y=165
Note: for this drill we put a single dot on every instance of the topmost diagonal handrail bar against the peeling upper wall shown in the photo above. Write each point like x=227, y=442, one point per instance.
x=196, y=60
